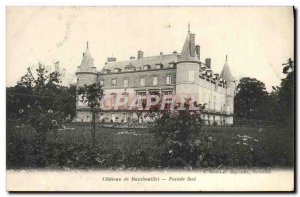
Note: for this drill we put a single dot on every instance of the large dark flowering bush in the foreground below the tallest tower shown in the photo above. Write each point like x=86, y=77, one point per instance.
x=179, y=134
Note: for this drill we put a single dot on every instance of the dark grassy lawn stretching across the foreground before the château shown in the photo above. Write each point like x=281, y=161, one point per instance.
x=137, y=148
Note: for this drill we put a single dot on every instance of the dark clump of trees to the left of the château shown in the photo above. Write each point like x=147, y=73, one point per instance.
x=41, y=84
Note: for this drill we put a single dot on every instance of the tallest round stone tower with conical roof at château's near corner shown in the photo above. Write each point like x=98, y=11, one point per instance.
x=187, y=71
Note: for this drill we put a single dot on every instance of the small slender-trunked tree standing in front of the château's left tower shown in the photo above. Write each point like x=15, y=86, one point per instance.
x=91, y=95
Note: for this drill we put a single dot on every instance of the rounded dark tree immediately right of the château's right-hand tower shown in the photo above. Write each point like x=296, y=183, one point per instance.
x=250, y=99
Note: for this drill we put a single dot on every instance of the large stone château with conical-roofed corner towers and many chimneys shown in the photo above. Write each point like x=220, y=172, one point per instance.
x=173, y=74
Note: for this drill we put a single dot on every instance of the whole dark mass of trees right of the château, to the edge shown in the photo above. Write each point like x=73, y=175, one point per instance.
x=253, y=102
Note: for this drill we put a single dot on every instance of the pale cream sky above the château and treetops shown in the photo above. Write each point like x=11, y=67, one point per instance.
x=257, y=40
